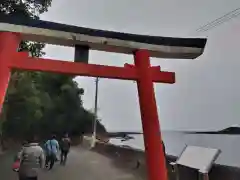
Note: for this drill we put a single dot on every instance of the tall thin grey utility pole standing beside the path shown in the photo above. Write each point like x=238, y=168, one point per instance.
x=95, y=113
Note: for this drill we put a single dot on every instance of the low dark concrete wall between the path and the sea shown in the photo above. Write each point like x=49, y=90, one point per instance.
x=134, y=160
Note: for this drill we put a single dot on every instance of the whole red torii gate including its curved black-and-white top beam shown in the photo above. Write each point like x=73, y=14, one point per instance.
x=142, y=72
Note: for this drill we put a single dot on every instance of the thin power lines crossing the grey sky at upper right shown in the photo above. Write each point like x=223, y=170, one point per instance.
x=212, y=24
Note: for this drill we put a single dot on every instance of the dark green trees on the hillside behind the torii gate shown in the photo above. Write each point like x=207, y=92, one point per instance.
x=40, y=103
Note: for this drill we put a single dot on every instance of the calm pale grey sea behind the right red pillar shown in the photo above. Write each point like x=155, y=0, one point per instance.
x=176, y=141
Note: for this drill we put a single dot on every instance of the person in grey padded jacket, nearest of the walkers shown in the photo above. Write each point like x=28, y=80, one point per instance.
x=31, y=157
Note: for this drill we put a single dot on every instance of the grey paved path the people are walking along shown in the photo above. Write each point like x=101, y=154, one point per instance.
x=82, y=165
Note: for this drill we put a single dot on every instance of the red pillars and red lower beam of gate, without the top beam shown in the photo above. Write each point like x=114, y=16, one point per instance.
x=142, y=72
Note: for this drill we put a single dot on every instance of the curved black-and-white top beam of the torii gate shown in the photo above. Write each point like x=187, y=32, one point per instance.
x=61, y=34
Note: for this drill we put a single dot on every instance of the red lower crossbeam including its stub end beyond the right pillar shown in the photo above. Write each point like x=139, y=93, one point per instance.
x=128, y=72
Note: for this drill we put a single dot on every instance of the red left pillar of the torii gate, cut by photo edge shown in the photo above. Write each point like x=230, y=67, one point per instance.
x=9, y=44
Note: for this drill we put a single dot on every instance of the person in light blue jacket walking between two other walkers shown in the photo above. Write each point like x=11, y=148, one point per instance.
x=52, y=149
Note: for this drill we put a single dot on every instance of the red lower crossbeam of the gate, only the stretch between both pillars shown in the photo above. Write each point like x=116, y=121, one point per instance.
x=72, y=68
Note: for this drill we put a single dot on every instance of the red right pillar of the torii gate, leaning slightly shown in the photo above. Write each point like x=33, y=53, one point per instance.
x=151, y=130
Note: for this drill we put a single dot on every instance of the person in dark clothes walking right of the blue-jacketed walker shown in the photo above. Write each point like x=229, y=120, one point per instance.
x=65, y=147
